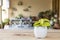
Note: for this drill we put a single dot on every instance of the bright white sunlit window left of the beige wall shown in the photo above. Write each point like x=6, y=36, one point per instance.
x=5, y=7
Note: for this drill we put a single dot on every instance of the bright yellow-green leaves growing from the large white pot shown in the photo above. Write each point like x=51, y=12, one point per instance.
x=42, y=23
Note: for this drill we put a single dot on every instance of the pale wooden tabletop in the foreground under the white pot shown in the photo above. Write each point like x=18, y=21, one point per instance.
x=27, y=35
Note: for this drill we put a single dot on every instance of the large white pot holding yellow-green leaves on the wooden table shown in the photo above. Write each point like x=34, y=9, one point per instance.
x=40, y=32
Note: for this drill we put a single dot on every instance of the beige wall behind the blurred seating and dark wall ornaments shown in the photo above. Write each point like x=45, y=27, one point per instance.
x=37, y=6
